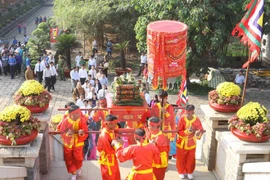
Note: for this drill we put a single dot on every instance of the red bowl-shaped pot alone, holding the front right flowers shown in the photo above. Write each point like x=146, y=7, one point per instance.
x=249, y=138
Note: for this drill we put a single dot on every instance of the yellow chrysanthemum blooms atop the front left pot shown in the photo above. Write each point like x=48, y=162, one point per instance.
x=13, y=112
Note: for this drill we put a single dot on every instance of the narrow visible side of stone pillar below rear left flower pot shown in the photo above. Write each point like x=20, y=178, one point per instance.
x=44, y=154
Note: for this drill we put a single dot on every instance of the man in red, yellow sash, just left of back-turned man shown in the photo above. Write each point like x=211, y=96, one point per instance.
x=107, y=160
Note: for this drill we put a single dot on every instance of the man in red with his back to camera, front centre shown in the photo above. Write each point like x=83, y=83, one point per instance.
x=142, y=154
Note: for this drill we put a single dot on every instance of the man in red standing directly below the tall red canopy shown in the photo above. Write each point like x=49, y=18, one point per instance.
x=165, y=112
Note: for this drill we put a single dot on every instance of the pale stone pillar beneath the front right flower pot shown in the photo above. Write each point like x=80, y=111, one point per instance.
x=232, y=153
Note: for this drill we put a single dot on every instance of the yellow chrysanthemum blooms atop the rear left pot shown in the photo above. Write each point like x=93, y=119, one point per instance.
x=30, y=87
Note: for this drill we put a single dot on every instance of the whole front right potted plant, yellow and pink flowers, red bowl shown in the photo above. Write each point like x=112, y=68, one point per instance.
x=250, y=123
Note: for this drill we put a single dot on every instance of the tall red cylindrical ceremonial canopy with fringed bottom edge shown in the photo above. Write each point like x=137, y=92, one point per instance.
x=166, y=48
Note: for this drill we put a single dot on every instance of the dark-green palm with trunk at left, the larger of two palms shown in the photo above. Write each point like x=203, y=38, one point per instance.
x=65, y=43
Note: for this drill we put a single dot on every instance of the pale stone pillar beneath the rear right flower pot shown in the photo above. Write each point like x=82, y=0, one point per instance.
x=214, y=121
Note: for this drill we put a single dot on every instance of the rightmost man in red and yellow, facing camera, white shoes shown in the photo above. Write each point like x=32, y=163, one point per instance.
x=189, y=129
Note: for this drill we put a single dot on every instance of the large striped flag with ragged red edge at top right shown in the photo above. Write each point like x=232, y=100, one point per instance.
x=250, y=28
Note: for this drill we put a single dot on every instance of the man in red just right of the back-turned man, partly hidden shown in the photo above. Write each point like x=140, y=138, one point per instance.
x=162, y=143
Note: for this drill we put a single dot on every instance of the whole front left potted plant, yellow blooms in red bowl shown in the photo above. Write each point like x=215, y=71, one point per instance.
x=17, y=126
